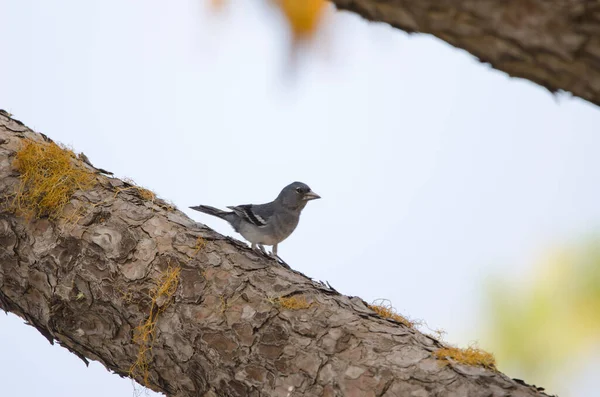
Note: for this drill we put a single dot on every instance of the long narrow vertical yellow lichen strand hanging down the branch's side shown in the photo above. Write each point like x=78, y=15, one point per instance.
x=144, y=334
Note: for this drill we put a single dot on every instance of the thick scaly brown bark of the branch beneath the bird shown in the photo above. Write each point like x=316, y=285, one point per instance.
x=84, y=283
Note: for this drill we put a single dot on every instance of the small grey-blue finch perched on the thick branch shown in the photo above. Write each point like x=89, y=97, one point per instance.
x=270, y=223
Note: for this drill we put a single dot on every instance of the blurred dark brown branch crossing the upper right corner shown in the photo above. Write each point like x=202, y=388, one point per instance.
x=555, y=43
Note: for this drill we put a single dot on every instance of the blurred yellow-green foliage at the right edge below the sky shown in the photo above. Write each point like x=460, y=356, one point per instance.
x=542, y=327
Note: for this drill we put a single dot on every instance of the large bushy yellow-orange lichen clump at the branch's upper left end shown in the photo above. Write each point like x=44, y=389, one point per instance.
x=49, y=175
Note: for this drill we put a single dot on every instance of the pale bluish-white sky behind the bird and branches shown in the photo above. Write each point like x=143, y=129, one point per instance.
x=436, y=171
